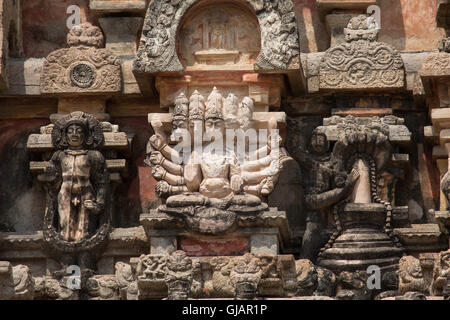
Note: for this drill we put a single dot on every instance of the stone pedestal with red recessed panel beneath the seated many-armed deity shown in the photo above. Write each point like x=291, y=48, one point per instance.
x=263, y=233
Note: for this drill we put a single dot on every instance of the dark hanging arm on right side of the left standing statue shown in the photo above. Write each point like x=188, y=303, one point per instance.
x=99, y=178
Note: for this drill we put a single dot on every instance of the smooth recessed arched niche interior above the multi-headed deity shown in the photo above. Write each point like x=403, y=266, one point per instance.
x=223, y=33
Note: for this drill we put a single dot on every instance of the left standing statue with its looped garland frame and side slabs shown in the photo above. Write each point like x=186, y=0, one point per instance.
x=79, y=205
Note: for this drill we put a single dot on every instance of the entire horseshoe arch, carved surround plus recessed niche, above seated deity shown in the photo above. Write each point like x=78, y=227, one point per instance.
x=232, y=36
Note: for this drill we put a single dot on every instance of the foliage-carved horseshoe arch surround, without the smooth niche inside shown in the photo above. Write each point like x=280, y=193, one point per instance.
x=279, y=36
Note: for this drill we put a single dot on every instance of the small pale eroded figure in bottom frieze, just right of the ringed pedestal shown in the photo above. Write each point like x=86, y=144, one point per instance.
x=410, y=276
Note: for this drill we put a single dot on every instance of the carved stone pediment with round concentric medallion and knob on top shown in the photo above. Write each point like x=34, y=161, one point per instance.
x=82, y=68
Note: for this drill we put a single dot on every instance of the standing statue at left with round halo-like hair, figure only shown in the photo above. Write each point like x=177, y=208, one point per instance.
x=79, y=176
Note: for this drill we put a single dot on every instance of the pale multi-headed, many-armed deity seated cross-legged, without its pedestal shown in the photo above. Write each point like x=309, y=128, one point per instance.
x=204, y=179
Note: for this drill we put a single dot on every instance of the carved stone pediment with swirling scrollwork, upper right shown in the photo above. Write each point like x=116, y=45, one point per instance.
x=362, y=62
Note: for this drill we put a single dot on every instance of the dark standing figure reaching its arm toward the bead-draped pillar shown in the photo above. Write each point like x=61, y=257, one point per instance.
x=326, y=188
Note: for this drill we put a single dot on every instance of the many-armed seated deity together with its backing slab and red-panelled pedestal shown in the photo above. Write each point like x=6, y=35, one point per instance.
x=216, y=200
